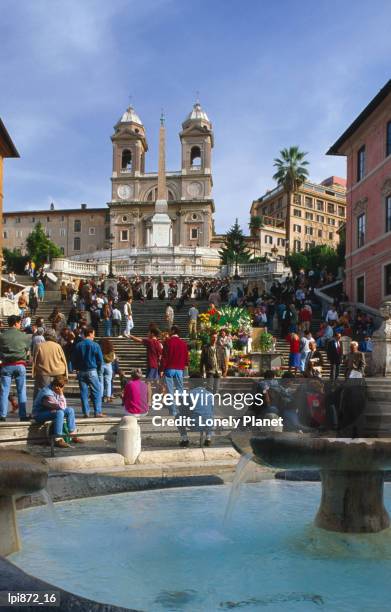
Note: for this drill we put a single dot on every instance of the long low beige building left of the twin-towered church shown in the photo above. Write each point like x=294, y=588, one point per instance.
x=74, y=230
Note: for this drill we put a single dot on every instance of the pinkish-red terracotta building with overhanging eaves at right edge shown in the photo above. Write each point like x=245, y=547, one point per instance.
x=367, y=145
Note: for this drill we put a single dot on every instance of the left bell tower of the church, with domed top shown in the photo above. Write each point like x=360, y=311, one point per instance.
x=129, y=146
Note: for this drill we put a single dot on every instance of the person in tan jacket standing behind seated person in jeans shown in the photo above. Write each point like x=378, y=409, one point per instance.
x=48, y=361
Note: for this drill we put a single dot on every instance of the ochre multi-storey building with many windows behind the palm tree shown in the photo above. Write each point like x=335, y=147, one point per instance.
x=317, y=211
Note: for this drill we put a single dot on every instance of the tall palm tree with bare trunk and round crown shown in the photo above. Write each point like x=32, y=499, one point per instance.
x=291, y=173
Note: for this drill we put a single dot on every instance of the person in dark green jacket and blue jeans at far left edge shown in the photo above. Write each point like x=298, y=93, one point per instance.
x=14, y=351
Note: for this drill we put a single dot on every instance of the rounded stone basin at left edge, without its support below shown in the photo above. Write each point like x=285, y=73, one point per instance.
x=21, y=473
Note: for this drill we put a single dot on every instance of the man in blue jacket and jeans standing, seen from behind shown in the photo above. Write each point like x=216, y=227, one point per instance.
x=87, y=359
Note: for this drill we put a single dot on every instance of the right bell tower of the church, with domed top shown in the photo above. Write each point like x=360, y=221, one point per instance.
x=197, y=143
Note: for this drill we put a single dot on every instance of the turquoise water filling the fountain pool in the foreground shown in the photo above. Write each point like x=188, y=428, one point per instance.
x=169, y=550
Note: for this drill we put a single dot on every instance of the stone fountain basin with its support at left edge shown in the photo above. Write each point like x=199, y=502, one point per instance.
x=20, y=474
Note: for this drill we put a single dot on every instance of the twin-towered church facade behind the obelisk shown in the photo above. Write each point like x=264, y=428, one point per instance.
x=134, y=192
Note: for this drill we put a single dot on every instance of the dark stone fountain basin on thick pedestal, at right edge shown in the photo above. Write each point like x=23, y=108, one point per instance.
x=352, y=476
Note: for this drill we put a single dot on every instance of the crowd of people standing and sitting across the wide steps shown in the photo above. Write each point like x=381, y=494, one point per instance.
x=67, y=343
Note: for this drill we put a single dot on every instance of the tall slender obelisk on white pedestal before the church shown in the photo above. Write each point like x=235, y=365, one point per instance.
x=161, y=222
